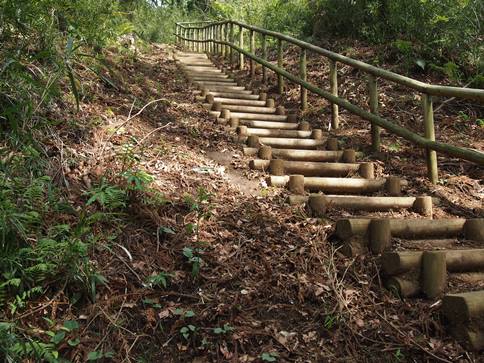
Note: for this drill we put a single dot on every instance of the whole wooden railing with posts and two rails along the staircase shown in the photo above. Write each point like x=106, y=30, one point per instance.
x=220, y=37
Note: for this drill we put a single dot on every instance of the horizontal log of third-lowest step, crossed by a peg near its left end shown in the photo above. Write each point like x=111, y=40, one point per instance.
x=415, y=228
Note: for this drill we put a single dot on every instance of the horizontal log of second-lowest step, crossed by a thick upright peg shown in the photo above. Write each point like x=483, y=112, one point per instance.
x=397, y=263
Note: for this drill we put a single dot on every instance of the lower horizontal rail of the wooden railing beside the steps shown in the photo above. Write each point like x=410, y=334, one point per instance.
x=450, y=150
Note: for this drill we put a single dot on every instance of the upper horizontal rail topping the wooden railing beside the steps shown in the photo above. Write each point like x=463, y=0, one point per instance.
x=431, y=89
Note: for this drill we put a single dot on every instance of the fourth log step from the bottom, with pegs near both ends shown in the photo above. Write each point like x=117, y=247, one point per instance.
x=319, y=203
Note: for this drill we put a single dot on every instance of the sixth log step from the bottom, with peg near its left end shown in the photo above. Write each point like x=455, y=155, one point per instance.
x=281, y=167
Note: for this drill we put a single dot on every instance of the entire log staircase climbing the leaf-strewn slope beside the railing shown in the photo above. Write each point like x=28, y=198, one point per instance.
x=419, y=257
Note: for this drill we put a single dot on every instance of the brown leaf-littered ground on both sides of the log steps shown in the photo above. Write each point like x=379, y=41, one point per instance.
x=222, y=269
